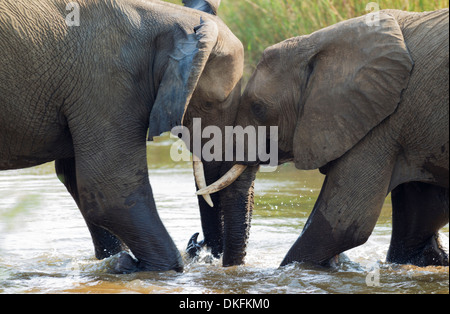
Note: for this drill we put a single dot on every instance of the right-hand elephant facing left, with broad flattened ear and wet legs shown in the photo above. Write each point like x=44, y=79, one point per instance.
x=368, y=106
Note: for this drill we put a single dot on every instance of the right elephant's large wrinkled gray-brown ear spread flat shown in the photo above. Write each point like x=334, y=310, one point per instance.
x=356, y=77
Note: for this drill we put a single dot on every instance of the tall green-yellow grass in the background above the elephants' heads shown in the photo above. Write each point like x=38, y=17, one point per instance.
x=262, y=23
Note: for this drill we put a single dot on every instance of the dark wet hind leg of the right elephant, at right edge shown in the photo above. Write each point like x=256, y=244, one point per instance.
x=419, y=211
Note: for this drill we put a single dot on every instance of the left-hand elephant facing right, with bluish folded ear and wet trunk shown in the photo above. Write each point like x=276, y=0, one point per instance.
x=86, y=95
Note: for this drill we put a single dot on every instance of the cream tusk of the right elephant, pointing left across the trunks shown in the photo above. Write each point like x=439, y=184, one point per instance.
x=234, y=173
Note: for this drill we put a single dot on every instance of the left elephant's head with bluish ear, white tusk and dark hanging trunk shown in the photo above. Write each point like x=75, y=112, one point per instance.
x=201, y=78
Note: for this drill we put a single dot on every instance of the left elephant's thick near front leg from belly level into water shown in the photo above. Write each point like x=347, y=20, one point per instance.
x=115, y=194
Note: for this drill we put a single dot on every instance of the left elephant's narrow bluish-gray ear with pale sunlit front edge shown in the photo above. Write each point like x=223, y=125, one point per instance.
x=184, y=68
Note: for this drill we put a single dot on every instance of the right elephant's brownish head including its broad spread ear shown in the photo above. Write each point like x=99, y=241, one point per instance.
x=327, y=90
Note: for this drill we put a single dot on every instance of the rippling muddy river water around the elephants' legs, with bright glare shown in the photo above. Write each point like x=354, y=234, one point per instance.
x=45, y=246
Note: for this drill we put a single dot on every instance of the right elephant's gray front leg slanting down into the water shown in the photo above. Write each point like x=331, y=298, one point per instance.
x=348, y=206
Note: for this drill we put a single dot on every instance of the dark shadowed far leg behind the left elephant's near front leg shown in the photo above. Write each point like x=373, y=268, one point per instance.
x=105, y=243
